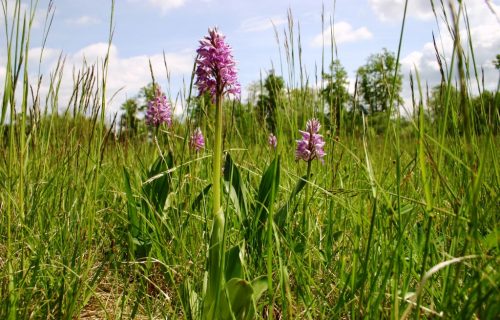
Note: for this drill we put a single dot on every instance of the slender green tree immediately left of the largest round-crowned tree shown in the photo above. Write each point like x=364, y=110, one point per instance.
x=335, y=92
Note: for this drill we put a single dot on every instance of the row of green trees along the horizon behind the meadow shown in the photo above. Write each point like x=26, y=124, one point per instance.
x=377, y=96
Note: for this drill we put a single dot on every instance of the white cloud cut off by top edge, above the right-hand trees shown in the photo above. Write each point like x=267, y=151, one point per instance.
x=392, y=10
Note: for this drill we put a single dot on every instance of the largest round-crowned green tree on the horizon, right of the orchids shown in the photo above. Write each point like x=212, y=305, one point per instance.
x=377, y=78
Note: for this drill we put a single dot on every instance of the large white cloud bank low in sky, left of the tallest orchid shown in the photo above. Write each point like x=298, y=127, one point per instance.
x=126, y=75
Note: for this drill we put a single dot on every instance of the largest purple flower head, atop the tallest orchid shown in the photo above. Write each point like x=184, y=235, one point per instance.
x=216, y=69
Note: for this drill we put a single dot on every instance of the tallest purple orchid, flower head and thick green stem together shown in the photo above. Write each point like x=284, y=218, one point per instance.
x=216, y=74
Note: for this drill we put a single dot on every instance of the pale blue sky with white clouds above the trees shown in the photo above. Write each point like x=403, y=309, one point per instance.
x=145, y=29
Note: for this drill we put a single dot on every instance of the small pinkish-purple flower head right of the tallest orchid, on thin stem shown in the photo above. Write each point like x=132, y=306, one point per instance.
x=311, y=145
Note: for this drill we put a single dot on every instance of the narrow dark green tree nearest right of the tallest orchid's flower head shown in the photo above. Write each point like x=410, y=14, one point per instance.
x=268, y=100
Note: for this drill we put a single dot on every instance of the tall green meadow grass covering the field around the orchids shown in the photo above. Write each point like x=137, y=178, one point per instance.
x=402, y=224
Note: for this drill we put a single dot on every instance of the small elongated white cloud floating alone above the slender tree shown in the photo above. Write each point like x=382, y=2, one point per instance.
x=343, y=33
